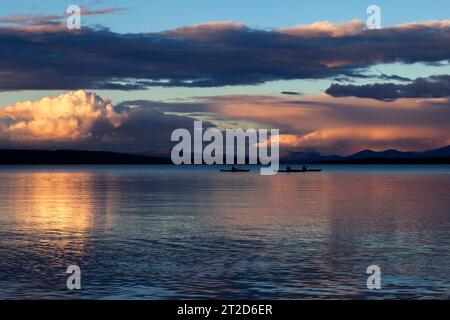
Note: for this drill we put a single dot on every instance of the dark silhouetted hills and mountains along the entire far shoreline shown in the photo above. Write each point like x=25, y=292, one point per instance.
x=13, y=157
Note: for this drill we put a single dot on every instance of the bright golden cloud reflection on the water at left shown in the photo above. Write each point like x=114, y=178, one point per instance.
x=60, y=207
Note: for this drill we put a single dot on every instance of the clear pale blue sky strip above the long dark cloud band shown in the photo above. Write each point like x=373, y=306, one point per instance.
x=158, y=15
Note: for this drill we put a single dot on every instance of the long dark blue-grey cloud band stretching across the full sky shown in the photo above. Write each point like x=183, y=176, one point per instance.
x=207, y=55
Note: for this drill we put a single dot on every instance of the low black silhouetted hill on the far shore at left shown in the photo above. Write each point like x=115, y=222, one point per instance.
x=12, y=157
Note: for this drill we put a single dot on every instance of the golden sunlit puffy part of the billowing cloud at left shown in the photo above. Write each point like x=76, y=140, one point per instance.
x=68, y=117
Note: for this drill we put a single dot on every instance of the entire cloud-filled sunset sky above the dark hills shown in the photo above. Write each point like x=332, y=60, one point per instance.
x=139, y=69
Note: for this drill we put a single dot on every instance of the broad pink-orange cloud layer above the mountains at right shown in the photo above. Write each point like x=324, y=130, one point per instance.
x=335, y=125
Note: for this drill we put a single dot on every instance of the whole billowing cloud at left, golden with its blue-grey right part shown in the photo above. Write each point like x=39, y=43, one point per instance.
x=83, y=120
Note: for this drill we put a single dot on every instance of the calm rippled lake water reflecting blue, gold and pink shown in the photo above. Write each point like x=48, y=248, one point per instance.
x=157, y=232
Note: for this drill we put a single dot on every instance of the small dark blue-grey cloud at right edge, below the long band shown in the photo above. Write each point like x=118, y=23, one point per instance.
x=431, y=87
